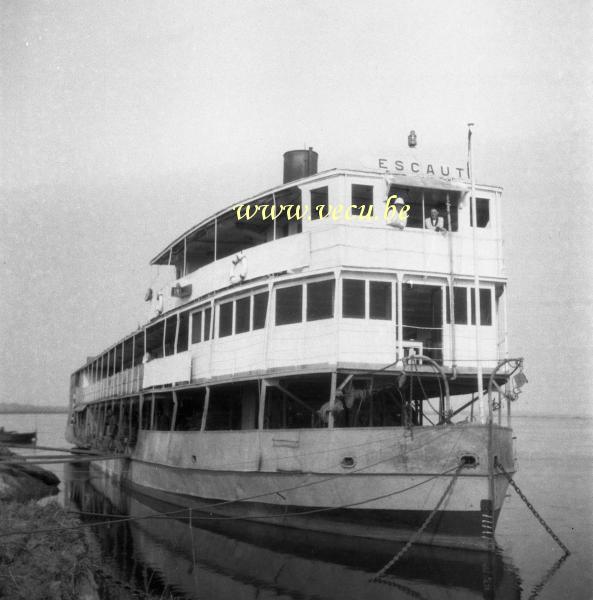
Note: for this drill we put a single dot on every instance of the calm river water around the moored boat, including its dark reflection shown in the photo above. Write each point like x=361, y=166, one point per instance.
x=240, y=561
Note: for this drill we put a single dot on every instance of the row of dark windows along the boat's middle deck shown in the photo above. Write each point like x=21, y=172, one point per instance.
x=310, y=301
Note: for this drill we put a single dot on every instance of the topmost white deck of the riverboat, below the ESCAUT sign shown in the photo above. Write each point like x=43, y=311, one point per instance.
x=281, y=231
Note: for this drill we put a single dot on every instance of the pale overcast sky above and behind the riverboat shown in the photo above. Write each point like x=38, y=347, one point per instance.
x=124, y=123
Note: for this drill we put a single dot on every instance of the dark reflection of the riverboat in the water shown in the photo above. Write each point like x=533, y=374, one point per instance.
x=239, y=559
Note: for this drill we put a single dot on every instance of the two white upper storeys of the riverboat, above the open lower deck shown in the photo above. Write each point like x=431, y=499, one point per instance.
x=319, y=274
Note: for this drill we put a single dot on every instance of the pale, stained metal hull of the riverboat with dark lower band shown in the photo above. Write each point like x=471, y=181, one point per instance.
x=394, y=485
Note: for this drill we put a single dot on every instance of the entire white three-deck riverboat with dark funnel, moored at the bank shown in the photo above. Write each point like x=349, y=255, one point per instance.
x=328, y=355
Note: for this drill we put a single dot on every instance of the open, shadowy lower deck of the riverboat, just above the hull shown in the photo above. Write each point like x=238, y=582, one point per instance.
x=417, y=394
